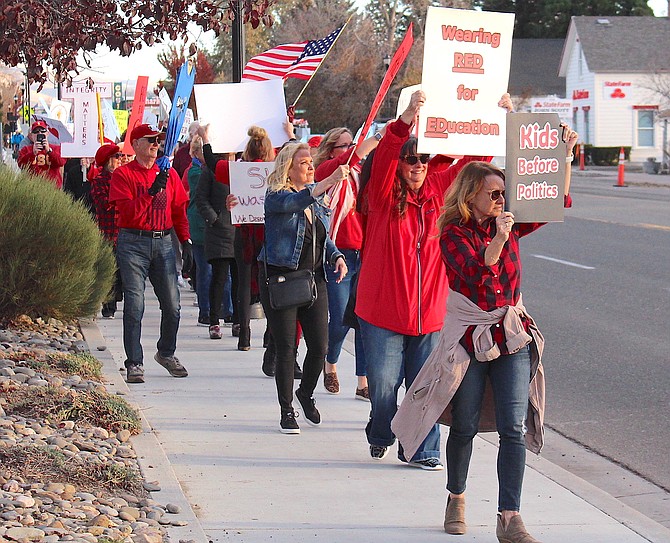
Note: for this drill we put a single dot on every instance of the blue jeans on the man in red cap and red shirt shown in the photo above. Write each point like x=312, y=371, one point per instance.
x=138, y=258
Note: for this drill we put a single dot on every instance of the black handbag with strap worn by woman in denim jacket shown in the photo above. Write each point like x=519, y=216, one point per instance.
x=296, y=288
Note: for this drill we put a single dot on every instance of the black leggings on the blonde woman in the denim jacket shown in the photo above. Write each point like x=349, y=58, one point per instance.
x=282, y=324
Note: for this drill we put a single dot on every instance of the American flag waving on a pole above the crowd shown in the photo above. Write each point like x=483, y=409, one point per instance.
x=299, y=60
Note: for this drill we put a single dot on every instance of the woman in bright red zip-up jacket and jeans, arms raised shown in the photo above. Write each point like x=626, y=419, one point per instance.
x=402, y=288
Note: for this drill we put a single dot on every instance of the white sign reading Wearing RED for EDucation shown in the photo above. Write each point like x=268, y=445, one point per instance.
x=466, y=64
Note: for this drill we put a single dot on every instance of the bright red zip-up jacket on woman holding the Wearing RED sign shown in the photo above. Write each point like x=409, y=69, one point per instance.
x=403, y=284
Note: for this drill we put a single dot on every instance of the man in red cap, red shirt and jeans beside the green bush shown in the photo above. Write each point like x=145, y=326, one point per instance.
x=149, y=202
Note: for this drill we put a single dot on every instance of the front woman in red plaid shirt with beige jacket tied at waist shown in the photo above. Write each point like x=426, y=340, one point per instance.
x=487, y=365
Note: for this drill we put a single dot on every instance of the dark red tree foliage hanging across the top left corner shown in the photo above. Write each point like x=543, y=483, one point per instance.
x=42, y=34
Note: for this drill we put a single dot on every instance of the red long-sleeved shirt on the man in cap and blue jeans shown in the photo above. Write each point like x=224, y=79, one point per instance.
x=139, y=210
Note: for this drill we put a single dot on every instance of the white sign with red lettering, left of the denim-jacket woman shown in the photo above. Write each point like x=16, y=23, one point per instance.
x=248, y=181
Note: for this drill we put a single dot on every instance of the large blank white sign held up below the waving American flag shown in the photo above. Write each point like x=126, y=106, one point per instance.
x=231, y=108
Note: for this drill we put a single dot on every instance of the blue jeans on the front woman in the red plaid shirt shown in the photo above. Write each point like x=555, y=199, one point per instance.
x=509, y=376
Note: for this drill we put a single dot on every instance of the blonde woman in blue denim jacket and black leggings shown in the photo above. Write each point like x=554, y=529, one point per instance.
x=296, y=238
